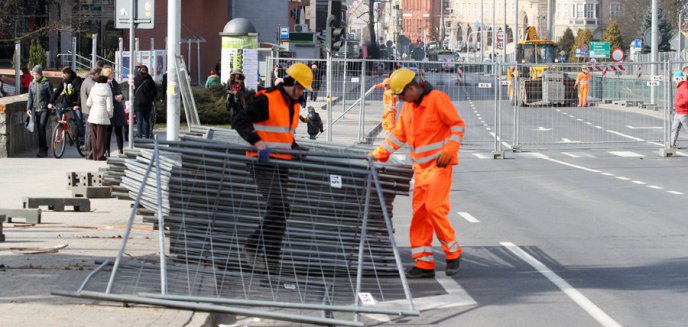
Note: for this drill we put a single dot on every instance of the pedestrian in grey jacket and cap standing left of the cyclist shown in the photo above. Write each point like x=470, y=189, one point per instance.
x=38, y=105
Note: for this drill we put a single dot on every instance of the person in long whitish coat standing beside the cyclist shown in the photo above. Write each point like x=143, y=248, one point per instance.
x=101, y=106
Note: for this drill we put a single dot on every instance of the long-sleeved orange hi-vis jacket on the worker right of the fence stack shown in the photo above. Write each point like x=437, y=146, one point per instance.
x=428, y=129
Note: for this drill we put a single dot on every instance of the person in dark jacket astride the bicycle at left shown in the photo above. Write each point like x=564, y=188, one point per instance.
x=69, y=98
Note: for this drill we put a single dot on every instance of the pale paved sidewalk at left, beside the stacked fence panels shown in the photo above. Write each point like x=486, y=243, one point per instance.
x=27, y=279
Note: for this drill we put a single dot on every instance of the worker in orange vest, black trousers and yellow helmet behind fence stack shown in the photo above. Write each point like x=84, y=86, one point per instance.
x=269, y=122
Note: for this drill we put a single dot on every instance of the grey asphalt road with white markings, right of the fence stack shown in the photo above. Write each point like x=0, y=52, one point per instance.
x=585, y=227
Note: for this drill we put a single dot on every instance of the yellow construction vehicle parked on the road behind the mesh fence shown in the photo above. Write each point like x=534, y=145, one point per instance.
x=537, y=82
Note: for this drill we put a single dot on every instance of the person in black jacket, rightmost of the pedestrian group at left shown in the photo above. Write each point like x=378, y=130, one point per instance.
x=145, y=92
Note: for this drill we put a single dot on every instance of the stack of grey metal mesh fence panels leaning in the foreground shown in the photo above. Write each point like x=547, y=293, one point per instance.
x=308, y=235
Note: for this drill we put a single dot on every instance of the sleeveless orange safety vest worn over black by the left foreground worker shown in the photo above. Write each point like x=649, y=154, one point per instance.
x=276, y=131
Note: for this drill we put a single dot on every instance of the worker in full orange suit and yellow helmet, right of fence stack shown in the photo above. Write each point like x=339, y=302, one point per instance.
x=432, y=128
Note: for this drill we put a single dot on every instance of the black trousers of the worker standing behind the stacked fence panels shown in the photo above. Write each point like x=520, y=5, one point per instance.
x=271, y=181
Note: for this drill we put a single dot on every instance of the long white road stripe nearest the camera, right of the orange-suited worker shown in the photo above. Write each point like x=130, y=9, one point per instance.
x=577, y=297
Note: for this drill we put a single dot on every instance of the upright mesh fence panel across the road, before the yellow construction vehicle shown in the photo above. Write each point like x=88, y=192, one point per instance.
x=620, y=108
